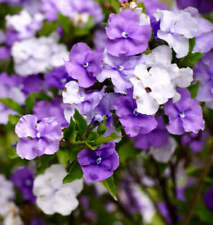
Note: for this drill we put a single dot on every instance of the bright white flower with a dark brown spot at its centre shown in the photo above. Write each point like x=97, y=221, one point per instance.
x=151, y=88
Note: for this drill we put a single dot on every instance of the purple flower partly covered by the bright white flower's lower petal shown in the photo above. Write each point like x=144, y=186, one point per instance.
x=134, y=123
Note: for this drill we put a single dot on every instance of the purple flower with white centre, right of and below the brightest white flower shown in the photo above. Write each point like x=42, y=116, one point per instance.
x=184, y=115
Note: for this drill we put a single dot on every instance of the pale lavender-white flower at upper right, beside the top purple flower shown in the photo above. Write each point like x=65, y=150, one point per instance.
x=176, y=28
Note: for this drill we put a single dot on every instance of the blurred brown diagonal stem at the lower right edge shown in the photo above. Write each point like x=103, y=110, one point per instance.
x=197, y=193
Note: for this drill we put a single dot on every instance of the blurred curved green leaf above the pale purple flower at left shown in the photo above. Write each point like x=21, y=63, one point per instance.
x=32, y=98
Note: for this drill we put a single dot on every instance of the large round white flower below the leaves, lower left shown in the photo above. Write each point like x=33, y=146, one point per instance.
x=52, y=195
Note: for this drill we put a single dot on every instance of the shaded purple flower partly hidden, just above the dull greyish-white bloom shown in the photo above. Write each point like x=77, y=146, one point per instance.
x=156, y=138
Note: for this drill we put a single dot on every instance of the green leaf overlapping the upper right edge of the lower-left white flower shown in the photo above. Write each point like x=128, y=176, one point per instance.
x=75, y=172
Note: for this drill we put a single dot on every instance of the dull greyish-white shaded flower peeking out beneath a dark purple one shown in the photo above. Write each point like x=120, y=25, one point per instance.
x=164, y=153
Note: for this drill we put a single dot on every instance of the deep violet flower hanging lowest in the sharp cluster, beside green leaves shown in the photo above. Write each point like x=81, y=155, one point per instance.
x=100, y=164
